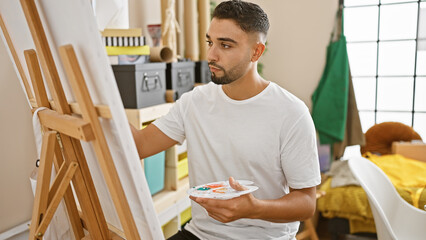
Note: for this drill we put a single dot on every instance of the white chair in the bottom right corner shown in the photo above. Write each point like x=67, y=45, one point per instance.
x=393, y=216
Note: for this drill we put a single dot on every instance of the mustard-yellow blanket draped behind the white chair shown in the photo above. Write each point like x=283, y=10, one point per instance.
x=350, y=202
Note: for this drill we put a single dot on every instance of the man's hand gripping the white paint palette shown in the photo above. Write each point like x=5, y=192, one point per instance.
x=231, y=209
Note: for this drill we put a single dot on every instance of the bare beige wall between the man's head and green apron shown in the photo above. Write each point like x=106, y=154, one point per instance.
x=297, y=42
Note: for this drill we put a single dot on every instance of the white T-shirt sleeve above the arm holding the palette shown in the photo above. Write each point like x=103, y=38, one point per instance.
x=299, y=154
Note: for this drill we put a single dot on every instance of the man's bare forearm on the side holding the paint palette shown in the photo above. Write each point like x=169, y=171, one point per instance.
x=298, y=205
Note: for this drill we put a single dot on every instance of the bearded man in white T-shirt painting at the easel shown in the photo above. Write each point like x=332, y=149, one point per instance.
x=244, y=127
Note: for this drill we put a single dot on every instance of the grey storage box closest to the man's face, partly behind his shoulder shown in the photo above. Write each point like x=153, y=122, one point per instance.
x=180, y=77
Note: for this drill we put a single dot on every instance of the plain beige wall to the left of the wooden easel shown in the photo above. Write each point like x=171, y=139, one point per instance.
x=17, y=148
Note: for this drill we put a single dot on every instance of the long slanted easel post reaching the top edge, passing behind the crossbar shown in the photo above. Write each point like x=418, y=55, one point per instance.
x=82, y=181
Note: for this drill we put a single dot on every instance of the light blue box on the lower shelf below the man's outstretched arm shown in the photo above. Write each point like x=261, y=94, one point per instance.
x=154, y=171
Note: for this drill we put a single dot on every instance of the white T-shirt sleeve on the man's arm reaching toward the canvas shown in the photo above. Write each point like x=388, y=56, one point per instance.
x=172, y=124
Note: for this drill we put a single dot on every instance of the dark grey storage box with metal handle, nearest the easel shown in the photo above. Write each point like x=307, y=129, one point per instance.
x=141, y=85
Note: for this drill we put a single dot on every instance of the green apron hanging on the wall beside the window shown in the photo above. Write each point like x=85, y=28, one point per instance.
x=330, y=99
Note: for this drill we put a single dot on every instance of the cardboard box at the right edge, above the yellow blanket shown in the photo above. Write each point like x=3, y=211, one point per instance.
x=414, y=150
